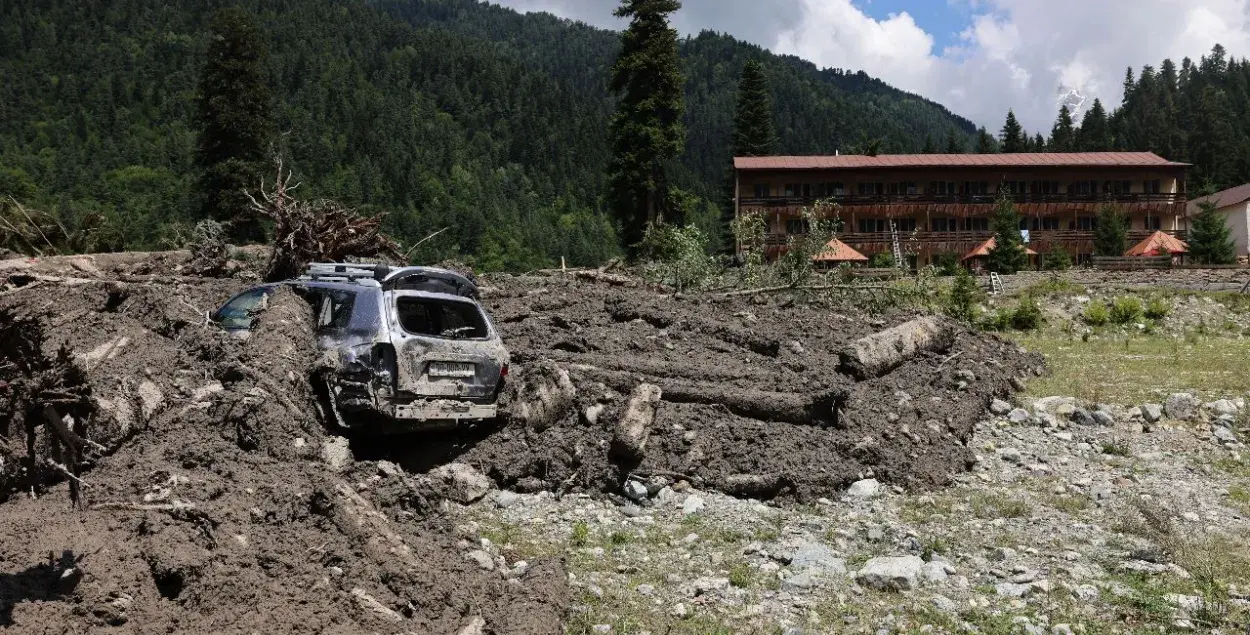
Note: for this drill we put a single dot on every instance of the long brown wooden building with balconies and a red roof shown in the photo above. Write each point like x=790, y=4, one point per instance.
x=943, y=204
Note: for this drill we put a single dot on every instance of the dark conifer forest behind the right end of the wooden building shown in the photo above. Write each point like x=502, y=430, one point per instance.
x=1194, y=113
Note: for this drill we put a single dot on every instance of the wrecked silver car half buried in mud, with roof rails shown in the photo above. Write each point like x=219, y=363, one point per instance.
x=416, y=347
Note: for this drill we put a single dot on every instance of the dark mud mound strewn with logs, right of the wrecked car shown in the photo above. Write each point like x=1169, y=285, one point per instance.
x=753, y=401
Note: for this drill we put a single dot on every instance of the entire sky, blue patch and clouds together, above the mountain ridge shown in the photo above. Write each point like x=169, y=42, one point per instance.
x=978, y=58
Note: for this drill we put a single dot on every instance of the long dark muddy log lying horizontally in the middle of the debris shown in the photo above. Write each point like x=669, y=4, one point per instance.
x=793, y=408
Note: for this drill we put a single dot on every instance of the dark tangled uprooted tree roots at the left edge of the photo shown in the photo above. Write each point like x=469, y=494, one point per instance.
x=49, y=403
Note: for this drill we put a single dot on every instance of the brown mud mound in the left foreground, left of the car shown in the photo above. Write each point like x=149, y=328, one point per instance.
x=209, y=502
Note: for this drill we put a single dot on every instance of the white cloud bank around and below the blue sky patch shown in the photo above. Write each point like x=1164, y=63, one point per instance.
x=1019, y=54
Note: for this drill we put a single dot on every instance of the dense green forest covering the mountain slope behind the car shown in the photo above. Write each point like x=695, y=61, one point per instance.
x=441, y=113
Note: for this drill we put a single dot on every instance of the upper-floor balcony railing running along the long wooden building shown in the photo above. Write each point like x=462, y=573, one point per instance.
x=961, y=199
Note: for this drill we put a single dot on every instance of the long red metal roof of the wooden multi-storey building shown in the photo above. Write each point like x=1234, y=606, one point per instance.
x=956, y=161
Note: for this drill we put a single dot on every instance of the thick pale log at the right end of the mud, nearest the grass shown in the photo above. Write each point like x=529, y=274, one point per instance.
x=883, y=352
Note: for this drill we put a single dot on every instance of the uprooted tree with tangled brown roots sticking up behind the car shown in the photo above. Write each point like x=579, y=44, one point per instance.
x=319, y=231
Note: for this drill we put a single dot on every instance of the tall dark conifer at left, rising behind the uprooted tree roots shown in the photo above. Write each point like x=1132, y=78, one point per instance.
x=236, y=122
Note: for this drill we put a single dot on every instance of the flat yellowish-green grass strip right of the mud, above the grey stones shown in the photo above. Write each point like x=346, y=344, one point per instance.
x=1137, y=371
